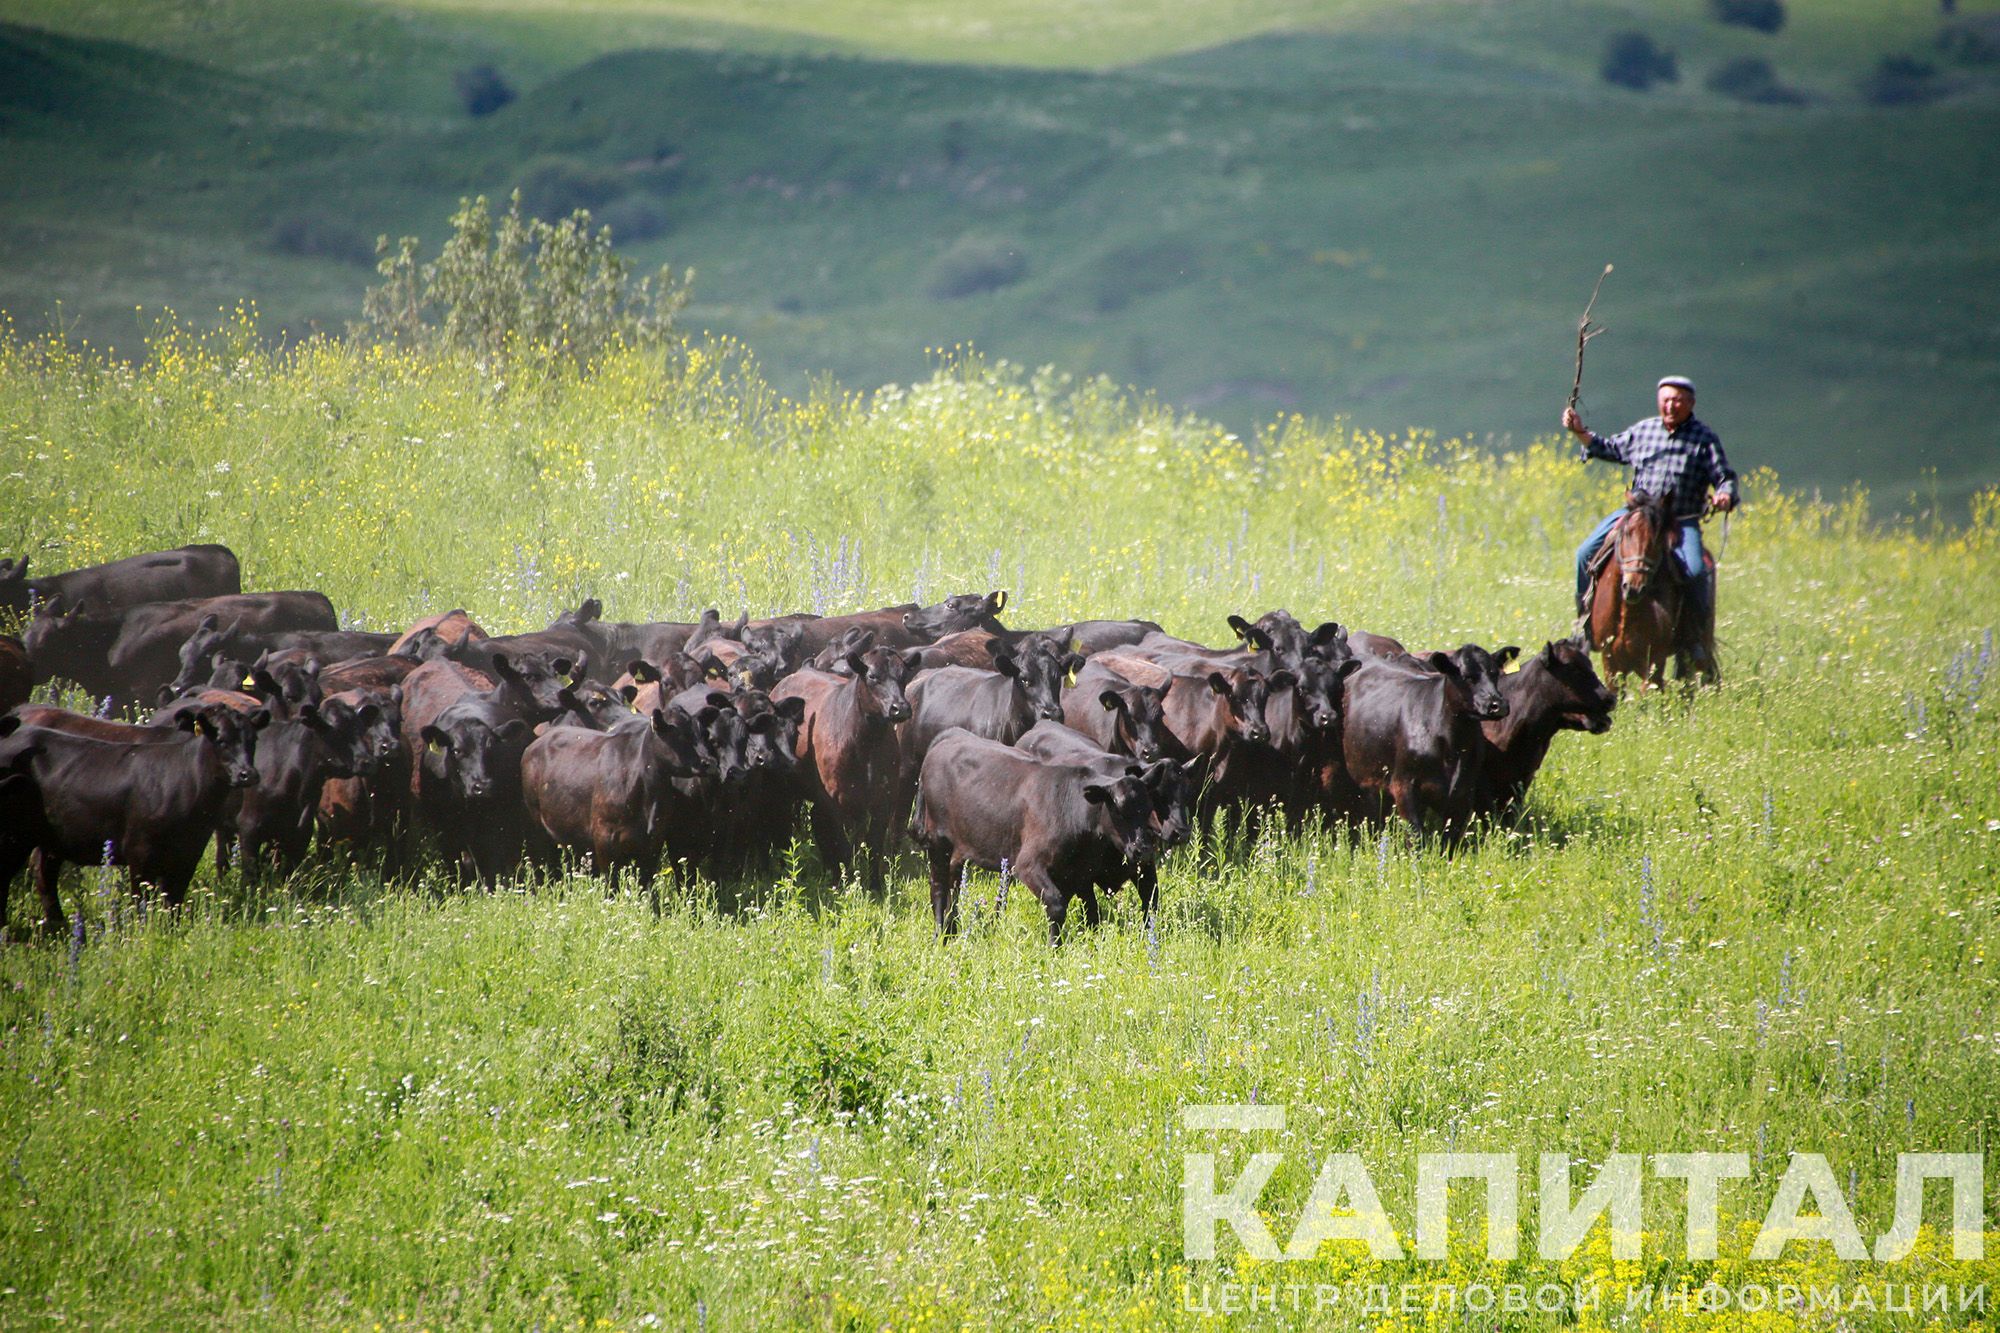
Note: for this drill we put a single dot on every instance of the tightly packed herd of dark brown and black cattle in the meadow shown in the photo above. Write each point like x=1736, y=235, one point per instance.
x=1069, y=758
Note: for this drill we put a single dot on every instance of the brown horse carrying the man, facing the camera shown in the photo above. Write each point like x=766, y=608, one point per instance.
x=1635, y=599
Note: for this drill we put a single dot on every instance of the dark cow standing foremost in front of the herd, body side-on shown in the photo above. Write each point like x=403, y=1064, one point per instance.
x=1057, y=828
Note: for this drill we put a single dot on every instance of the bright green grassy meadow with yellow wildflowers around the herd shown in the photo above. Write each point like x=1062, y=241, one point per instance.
x=1759, y=920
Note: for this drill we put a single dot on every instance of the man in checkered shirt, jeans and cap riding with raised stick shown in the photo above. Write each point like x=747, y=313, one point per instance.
x=1675, y=457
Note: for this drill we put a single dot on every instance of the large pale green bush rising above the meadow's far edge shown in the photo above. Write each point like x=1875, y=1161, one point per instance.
x=519, y=287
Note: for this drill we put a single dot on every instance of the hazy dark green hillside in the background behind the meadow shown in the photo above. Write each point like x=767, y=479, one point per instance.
x=1365, y=211
